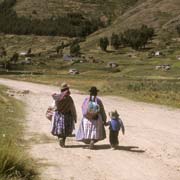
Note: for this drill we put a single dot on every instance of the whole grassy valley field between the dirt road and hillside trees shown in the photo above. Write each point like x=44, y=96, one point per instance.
x=135, y=77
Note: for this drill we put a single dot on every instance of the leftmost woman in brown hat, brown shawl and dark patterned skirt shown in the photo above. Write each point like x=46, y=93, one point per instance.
x=64, y=116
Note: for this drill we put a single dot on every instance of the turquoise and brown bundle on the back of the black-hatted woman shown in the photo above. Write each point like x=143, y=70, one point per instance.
x=93, y=108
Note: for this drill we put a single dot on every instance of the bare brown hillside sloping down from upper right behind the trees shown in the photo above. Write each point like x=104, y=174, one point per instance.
x=163, y=15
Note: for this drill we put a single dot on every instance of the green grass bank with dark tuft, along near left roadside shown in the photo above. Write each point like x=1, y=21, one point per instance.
x=14, y=162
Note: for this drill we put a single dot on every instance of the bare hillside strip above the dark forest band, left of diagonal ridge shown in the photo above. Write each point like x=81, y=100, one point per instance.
x=48, y=8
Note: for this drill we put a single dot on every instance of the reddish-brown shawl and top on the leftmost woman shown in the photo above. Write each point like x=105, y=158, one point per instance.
x=65, y=104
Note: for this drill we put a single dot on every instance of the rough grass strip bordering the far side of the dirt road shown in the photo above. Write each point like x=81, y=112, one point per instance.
x=158, y=91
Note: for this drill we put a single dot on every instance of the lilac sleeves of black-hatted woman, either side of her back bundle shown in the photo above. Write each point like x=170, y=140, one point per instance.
x=99, y=102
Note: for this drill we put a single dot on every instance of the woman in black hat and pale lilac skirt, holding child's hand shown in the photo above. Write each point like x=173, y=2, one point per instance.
x=92, y=128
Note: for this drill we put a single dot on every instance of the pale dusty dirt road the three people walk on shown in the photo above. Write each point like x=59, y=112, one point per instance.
x=150, y=149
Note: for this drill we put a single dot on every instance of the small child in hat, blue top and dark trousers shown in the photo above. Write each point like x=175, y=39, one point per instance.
x=115, y=124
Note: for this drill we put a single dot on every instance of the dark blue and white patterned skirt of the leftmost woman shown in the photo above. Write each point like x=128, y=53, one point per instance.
x=62, y=124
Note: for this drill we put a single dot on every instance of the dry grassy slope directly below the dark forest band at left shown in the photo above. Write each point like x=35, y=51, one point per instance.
x=38, y=44
